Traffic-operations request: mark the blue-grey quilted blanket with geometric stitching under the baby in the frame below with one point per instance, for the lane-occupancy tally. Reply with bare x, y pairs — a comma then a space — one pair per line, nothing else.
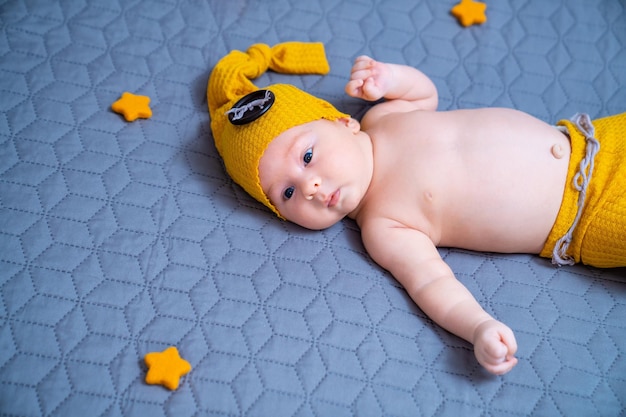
122, 238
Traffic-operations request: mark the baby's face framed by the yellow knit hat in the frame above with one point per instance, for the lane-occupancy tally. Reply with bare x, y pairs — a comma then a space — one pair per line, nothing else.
317, 173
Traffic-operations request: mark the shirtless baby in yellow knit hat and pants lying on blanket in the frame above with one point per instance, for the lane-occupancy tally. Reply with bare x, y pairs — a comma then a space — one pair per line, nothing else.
495, 180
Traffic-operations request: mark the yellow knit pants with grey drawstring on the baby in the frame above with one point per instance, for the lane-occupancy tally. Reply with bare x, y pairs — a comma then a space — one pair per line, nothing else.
599, 238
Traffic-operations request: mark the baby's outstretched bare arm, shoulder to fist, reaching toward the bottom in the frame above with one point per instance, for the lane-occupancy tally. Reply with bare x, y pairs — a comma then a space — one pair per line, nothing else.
415, 262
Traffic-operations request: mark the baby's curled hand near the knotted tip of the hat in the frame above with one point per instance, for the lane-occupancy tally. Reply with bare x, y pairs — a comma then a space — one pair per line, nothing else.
369, 79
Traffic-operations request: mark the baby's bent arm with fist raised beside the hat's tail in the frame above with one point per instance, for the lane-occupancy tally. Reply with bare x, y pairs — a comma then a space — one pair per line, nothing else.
372, 80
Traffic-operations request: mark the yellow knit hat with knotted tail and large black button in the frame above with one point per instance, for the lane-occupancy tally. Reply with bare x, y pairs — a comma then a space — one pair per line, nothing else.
244, 119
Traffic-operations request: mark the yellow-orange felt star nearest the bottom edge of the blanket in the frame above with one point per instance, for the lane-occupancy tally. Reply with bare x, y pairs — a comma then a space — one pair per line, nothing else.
166, 368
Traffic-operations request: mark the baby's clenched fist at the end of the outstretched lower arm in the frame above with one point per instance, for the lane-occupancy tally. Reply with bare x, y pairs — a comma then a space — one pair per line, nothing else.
495, 347
